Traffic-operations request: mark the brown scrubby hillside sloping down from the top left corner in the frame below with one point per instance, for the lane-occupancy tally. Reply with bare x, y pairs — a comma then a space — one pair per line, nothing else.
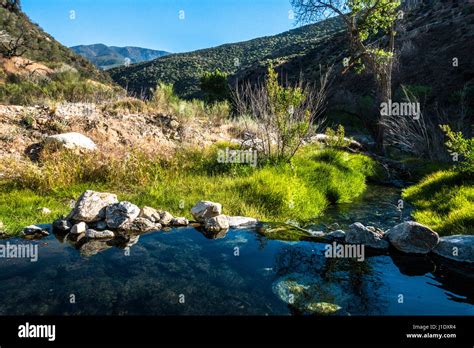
38, 46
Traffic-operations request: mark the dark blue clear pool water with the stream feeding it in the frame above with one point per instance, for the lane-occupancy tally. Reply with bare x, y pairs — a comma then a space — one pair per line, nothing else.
182, 272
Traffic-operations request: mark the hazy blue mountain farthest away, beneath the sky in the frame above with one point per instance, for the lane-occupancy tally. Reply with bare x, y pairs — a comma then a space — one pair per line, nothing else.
106, 57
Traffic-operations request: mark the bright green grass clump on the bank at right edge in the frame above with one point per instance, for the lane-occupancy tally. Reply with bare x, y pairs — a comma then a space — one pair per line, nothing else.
444, 201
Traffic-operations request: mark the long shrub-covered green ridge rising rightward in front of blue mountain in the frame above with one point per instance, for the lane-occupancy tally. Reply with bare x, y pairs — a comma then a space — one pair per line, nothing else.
185, 69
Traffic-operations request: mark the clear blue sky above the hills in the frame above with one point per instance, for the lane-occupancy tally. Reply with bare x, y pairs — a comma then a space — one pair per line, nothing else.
156, 23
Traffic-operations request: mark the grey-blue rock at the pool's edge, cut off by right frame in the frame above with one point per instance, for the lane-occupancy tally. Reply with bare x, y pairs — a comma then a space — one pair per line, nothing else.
459, 248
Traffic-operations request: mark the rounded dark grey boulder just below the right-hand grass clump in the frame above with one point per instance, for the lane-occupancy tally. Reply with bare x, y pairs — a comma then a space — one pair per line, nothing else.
412, 238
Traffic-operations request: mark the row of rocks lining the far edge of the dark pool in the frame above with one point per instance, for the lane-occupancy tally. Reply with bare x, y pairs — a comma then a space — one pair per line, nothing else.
101, 216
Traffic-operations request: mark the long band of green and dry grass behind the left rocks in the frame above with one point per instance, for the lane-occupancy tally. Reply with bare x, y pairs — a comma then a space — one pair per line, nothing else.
299, 191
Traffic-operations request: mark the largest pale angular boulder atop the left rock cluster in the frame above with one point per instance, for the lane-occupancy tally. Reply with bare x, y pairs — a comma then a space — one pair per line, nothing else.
91, 206
